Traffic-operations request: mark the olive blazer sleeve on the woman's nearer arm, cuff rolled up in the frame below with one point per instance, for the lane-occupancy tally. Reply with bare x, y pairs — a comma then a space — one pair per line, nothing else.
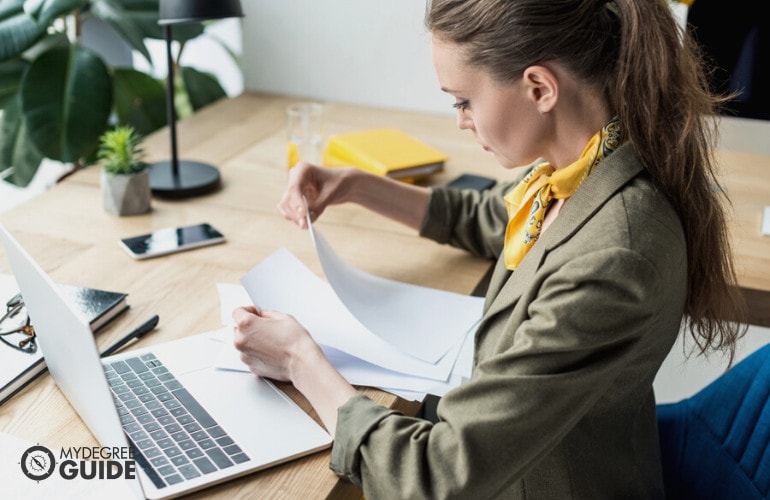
586, 325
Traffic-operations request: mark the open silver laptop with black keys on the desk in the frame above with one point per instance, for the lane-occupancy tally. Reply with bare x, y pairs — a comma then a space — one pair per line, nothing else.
190, 425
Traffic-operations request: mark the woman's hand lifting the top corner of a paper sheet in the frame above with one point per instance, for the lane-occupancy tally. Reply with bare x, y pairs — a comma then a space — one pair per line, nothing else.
319, 186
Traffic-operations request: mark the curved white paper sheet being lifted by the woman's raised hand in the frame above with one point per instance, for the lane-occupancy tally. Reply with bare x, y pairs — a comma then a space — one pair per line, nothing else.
424, 322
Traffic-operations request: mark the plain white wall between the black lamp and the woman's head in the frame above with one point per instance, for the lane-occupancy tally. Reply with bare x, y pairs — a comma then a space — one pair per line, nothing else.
371, 52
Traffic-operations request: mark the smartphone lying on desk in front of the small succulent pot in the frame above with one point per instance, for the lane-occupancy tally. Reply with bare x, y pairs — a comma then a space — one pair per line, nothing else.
171, 240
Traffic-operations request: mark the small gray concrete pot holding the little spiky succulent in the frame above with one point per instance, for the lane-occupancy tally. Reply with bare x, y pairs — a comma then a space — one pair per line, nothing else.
126, 194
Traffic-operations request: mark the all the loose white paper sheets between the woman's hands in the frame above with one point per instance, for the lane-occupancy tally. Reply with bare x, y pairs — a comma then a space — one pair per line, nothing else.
402, 338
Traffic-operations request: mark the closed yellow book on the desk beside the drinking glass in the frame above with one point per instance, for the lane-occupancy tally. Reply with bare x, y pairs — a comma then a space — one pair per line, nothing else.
385, 151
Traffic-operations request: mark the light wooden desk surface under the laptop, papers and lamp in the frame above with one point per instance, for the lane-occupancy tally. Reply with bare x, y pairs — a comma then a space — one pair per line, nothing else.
75, 240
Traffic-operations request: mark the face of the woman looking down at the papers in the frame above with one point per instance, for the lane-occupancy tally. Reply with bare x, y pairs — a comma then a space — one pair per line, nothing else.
503, 117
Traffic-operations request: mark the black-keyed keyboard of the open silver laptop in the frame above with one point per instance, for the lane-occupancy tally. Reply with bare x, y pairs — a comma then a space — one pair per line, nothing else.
173, 437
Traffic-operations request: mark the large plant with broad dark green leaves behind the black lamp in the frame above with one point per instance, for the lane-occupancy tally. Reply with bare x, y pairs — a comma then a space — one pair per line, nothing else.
57, 97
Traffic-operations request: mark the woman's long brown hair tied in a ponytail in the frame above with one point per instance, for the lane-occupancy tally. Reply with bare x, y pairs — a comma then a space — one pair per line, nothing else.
654, 80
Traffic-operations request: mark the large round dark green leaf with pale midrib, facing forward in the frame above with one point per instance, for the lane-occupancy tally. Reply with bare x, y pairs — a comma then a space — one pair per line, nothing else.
66, 98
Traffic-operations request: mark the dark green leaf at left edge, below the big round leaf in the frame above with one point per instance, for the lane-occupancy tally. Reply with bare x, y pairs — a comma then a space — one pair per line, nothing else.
16, 150
